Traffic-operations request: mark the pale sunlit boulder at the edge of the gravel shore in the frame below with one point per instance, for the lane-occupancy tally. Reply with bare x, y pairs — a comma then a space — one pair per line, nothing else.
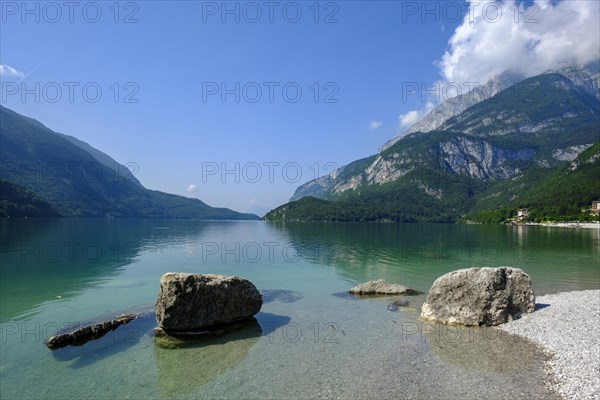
479, 297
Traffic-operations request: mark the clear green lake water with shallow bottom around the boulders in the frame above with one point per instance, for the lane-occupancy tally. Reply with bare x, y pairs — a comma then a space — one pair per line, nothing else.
307, 342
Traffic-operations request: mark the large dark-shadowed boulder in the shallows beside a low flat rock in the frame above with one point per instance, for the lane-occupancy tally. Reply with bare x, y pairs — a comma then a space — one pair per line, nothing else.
193, 302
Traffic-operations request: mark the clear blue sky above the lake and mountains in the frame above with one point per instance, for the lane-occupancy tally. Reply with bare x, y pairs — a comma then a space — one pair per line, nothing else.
161, 67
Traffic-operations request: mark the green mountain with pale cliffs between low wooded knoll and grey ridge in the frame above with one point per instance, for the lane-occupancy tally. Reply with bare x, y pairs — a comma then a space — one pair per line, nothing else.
483, 158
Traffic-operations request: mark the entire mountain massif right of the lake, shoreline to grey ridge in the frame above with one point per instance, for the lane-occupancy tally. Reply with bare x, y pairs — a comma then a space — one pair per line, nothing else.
495, 148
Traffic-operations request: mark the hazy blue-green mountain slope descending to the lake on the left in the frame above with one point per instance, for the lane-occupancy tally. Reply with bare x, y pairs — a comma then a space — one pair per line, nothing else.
77, 180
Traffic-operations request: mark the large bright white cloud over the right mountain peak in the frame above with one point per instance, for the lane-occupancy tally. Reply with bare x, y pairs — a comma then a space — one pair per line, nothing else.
495, 37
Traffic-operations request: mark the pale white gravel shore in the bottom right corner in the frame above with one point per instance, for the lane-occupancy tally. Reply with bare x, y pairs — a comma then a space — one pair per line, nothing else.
567, 325
